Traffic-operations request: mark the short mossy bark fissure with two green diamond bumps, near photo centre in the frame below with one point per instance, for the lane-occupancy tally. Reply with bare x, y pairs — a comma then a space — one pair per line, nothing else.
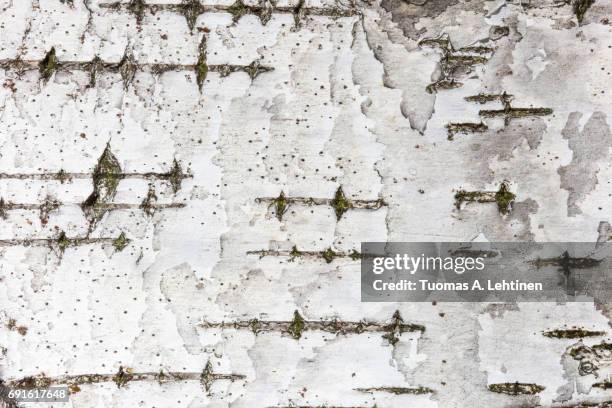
339, 203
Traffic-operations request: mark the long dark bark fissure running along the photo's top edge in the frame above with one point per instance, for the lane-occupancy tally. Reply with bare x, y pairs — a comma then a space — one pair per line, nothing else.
192, 9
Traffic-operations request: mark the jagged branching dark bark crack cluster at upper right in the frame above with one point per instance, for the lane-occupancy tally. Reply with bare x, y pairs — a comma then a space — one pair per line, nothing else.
454, 62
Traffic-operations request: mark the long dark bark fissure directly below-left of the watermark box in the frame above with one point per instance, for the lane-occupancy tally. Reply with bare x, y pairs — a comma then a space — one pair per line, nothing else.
298, 325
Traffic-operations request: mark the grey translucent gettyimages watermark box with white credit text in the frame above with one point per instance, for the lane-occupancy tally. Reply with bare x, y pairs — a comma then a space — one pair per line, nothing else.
485, 272
